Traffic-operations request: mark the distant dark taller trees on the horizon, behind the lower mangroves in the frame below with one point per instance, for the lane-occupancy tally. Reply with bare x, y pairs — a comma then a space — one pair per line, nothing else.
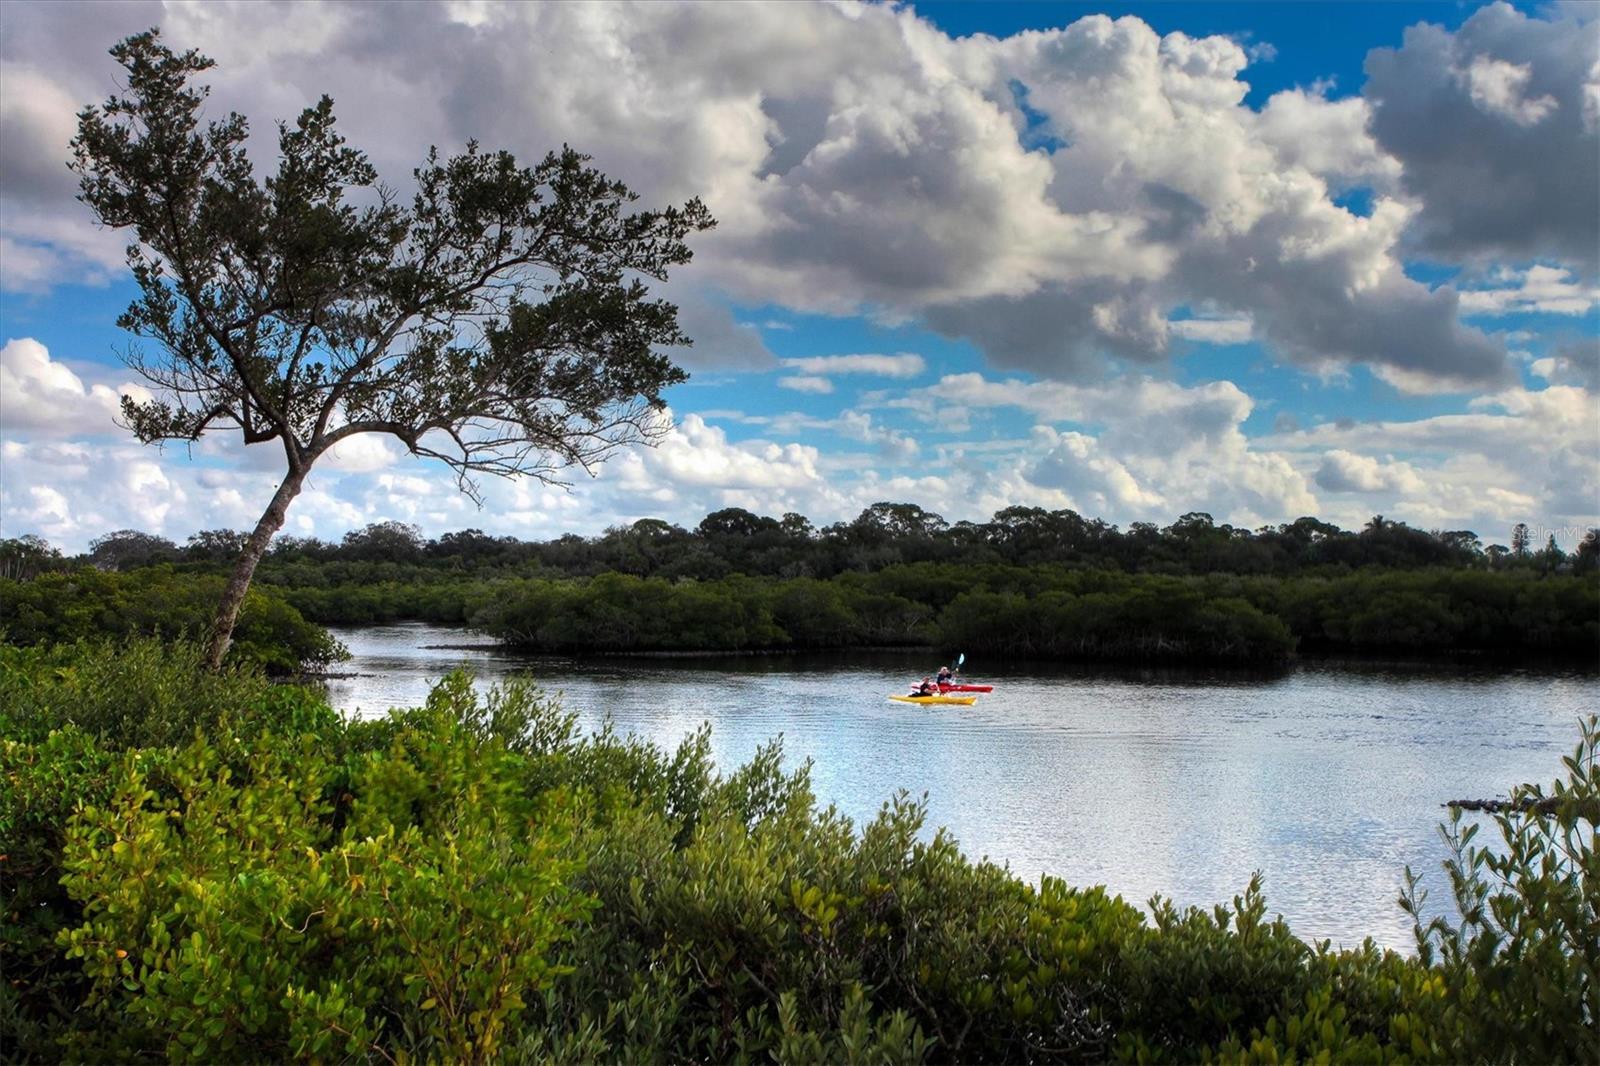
735, 540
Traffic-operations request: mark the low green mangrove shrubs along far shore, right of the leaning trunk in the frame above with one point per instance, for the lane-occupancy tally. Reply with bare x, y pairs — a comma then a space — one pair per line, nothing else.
1004, 611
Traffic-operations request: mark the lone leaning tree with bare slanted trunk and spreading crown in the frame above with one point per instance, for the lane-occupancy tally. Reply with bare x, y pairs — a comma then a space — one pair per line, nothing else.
500, 323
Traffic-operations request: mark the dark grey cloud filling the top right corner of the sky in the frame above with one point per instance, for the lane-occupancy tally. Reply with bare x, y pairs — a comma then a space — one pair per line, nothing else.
1495, 129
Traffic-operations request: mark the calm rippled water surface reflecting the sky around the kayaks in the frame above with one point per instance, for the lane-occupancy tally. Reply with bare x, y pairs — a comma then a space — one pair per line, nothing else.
1327, 779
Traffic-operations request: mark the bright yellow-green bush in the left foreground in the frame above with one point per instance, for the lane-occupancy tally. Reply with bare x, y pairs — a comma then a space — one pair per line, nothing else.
228, 915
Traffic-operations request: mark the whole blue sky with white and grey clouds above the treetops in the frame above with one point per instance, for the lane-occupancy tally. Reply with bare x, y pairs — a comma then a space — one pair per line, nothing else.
1135, 260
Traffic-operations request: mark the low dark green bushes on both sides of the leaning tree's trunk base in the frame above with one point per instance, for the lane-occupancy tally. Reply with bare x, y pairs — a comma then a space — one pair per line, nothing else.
159, 603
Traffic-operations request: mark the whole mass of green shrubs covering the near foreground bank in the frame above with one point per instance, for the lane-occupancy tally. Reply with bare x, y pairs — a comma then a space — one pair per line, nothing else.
474, 881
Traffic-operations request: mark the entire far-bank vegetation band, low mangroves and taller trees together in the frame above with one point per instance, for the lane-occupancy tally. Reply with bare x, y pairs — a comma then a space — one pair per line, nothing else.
1023, 587
